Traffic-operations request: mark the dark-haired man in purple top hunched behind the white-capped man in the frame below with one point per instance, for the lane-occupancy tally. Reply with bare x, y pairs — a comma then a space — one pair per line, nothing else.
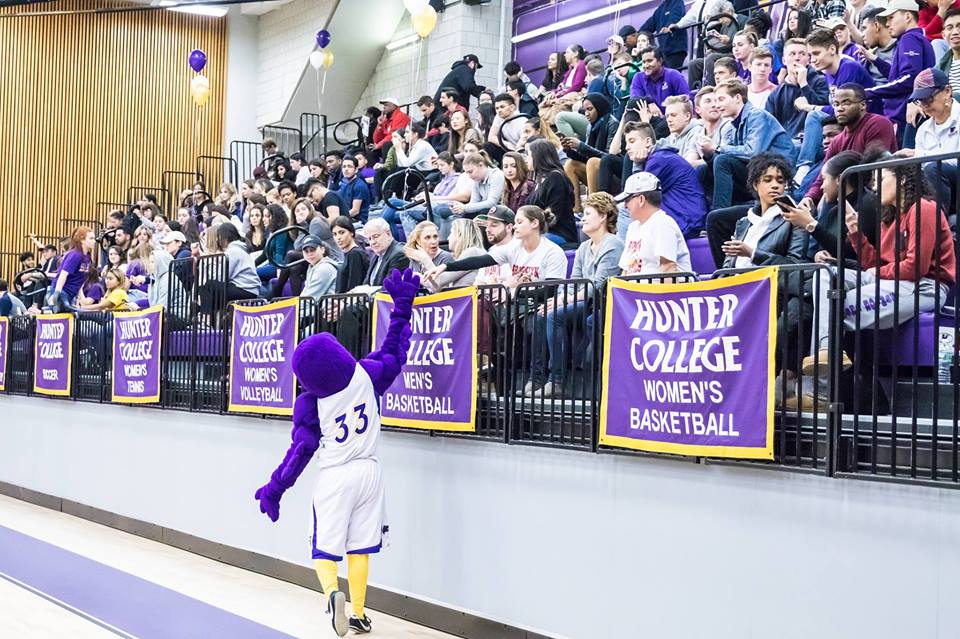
679, 191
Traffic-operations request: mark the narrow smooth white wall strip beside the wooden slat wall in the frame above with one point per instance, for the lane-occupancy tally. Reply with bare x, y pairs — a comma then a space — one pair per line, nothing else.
243, 64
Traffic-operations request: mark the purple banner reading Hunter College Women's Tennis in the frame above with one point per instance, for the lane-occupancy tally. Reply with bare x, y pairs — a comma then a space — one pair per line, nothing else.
136, 356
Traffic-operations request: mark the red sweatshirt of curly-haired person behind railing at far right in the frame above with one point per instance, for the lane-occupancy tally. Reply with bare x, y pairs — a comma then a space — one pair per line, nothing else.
916, 260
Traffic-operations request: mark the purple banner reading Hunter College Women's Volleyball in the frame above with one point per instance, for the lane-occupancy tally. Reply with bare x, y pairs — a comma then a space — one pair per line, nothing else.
262, 343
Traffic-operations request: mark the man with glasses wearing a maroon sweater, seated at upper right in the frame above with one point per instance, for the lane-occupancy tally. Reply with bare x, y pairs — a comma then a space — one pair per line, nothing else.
860, 131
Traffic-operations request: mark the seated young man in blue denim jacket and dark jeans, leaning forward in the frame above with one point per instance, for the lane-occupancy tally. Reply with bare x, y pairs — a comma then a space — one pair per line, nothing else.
752, 131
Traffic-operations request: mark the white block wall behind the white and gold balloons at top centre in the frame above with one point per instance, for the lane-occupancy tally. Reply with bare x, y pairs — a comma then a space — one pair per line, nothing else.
417, 69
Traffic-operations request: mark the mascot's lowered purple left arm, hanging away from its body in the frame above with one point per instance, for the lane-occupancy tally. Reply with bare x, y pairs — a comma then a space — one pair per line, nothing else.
306, 440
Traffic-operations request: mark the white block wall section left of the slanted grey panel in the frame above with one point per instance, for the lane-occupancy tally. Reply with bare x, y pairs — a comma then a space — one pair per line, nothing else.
286, 38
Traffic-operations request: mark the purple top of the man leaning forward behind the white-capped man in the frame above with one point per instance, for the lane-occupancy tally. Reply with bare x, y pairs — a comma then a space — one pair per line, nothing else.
683, 197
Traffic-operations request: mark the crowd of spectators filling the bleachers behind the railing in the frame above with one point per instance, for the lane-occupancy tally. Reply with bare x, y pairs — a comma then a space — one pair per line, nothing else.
623, 157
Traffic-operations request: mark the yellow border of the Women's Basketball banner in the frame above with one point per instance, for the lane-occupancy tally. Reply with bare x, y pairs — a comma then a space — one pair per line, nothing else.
739, 452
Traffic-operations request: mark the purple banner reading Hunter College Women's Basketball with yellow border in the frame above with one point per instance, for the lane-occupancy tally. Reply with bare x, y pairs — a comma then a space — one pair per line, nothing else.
688, 368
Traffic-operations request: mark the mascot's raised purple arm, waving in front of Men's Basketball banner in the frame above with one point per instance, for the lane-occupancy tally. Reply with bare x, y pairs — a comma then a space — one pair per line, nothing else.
383, 365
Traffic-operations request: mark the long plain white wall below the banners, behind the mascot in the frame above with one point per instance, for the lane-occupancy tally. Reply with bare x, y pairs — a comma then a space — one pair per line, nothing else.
581, 545
